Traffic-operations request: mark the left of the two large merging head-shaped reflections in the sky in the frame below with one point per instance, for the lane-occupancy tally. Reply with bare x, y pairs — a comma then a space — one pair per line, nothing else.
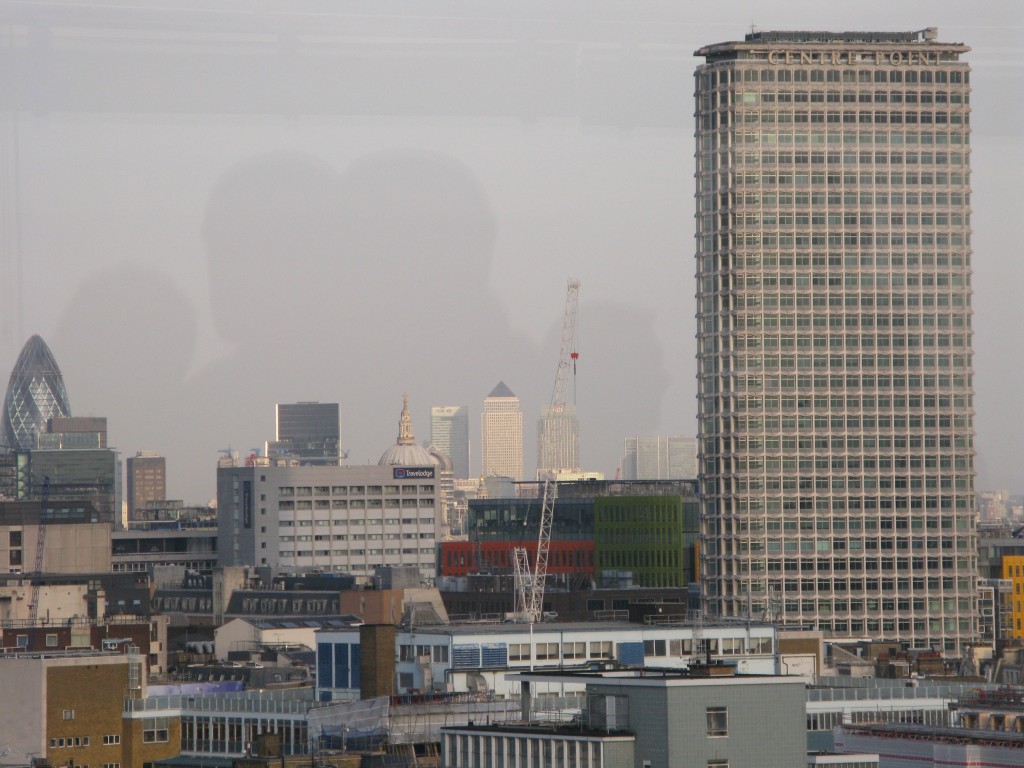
272, 234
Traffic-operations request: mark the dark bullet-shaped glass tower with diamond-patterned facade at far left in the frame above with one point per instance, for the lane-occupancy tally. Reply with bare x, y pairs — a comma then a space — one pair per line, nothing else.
35, 394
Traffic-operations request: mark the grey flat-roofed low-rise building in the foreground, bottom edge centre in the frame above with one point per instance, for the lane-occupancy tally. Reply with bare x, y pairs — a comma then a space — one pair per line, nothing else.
702, 717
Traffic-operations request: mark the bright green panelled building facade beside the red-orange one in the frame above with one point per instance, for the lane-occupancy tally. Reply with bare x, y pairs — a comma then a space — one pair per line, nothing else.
650, 541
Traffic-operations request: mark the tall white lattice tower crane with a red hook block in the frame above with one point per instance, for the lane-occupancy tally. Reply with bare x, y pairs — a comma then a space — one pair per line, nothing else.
530, 584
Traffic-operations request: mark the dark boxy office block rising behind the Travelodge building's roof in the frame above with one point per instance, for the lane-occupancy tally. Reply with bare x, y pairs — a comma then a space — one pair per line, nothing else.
309, 433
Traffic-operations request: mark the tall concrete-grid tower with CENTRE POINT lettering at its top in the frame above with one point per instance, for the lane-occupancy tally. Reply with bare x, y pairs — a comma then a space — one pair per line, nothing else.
834, 290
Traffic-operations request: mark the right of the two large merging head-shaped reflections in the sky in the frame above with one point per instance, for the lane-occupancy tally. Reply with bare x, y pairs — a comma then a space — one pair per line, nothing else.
418, 216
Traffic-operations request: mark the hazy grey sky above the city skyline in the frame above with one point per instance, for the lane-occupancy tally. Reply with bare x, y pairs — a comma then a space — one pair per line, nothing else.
209, 207
